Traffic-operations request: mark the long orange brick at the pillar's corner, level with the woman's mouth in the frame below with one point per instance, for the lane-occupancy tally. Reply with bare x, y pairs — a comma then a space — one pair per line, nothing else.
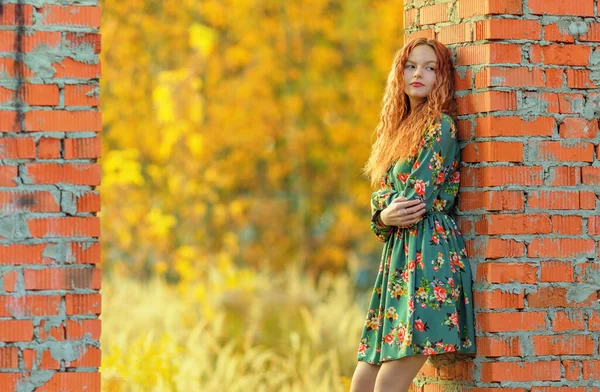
509, 77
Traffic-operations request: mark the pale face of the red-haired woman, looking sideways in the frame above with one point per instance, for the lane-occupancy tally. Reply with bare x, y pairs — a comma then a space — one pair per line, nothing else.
419, 73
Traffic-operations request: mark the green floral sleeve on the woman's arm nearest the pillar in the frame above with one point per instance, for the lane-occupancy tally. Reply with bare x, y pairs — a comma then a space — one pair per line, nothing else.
433, 163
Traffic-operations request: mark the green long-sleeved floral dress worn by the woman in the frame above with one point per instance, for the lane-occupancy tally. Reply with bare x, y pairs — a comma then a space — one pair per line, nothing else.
422, 300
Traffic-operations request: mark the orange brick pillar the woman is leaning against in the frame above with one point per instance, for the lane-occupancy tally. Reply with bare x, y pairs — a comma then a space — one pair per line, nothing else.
528, 120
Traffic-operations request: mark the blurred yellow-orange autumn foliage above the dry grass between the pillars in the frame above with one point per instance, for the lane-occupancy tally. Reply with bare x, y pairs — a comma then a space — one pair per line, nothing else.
234, 131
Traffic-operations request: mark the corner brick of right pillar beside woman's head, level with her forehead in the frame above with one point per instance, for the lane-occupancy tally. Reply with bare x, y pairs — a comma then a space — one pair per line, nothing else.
492, 53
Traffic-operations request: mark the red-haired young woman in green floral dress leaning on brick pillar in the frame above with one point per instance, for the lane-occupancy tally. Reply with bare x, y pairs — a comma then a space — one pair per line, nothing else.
421, 303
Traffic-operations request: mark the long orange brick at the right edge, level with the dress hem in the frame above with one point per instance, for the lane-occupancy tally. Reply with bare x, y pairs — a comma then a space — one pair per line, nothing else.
563, 345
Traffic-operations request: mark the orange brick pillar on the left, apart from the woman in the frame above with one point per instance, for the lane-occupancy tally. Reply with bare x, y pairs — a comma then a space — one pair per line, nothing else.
49, 252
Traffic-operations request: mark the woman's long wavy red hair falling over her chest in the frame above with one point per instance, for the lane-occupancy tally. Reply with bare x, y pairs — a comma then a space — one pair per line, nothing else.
401, 128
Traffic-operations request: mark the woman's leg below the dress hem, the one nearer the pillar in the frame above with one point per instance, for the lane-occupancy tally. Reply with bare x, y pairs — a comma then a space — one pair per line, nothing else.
397, 375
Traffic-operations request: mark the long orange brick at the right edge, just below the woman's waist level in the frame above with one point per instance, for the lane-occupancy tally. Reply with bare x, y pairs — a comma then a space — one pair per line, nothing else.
561, 247
